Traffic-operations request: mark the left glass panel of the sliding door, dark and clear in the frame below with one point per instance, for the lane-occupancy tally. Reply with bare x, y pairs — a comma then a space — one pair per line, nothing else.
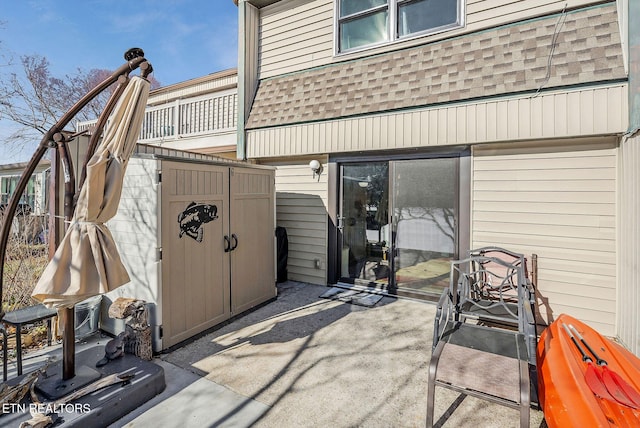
364, 223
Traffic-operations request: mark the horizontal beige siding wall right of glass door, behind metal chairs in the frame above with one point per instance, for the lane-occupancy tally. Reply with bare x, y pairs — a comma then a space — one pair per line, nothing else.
559, 203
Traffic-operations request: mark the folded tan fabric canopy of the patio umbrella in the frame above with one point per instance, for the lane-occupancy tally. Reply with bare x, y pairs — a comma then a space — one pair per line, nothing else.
87, 263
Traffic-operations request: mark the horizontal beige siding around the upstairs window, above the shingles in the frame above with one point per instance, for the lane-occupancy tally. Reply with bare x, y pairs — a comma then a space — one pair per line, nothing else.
298, 34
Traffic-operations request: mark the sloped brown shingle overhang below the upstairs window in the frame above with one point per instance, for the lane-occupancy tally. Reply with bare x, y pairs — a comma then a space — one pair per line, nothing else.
531, 57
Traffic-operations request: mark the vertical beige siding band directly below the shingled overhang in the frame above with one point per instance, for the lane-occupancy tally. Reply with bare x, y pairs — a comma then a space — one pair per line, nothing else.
564, 114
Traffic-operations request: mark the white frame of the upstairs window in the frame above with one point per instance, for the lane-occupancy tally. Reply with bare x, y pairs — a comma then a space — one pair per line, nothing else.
392, 27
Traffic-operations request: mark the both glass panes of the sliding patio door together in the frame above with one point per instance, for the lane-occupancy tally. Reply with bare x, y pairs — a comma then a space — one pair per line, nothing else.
398, 224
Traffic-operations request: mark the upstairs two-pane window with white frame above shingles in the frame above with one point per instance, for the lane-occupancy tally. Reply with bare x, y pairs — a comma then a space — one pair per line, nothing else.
367, 23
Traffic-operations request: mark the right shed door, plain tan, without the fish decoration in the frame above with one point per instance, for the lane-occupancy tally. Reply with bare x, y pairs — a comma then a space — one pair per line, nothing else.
252, 237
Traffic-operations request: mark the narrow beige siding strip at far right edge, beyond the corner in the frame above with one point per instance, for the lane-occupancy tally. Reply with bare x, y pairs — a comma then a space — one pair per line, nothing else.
629, 249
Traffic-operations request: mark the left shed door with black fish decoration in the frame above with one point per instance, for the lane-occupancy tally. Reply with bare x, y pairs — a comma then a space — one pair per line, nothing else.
195, 267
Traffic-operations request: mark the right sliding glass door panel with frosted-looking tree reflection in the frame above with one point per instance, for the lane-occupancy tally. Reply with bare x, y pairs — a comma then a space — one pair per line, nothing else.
425, 194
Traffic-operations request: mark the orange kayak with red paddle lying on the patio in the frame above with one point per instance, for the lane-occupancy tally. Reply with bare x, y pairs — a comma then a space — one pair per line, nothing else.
578, 393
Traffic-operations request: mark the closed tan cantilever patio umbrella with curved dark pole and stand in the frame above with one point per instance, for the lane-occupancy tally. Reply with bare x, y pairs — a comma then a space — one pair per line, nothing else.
86, 263
